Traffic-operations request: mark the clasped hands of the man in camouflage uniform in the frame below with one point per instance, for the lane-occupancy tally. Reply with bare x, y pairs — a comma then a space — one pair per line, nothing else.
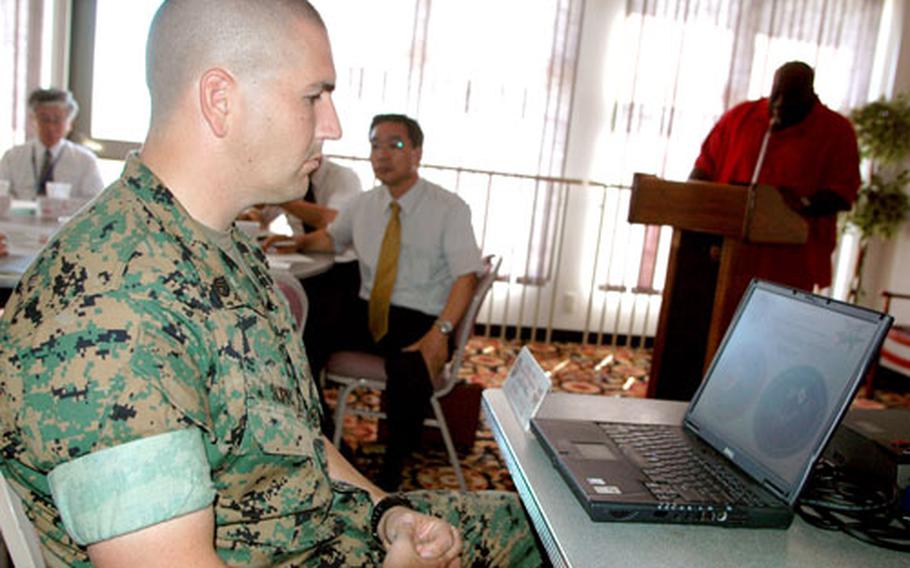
413, 539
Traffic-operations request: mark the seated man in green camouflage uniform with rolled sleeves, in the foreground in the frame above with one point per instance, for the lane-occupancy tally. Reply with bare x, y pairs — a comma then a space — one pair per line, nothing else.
155, 408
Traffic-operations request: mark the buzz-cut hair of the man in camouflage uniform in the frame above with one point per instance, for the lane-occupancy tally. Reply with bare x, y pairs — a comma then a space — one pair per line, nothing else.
187, 37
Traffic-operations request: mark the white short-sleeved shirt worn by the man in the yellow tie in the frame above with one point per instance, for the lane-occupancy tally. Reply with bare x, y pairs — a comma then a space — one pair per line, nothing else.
437, 242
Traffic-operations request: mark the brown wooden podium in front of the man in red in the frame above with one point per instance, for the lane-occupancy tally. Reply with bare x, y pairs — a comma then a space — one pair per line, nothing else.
719, 234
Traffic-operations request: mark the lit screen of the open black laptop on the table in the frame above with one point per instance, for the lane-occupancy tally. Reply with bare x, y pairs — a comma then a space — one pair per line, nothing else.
783, 376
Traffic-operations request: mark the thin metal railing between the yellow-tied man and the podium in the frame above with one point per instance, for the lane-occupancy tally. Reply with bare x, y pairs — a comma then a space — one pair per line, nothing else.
571, 261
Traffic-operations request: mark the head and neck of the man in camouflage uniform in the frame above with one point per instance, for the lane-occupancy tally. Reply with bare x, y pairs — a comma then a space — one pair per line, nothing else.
241, 102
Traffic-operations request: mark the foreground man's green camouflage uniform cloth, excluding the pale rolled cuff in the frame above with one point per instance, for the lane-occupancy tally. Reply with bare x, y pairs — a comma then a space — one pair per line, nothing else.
131, 323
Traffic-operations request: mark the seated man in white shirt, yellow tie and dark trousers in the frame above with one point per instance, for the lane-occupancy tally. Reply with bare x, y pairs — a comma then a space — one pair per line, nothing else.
435, 275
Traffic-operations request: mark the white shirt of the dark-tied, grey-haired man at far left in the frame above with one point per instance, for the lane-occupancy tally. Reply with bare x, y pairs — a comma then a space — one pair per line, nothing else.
73, 163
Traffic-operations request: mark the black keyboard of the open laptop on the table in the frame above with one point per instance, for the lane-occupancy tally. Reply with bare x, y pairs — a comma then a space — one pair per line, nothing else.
675, 471
